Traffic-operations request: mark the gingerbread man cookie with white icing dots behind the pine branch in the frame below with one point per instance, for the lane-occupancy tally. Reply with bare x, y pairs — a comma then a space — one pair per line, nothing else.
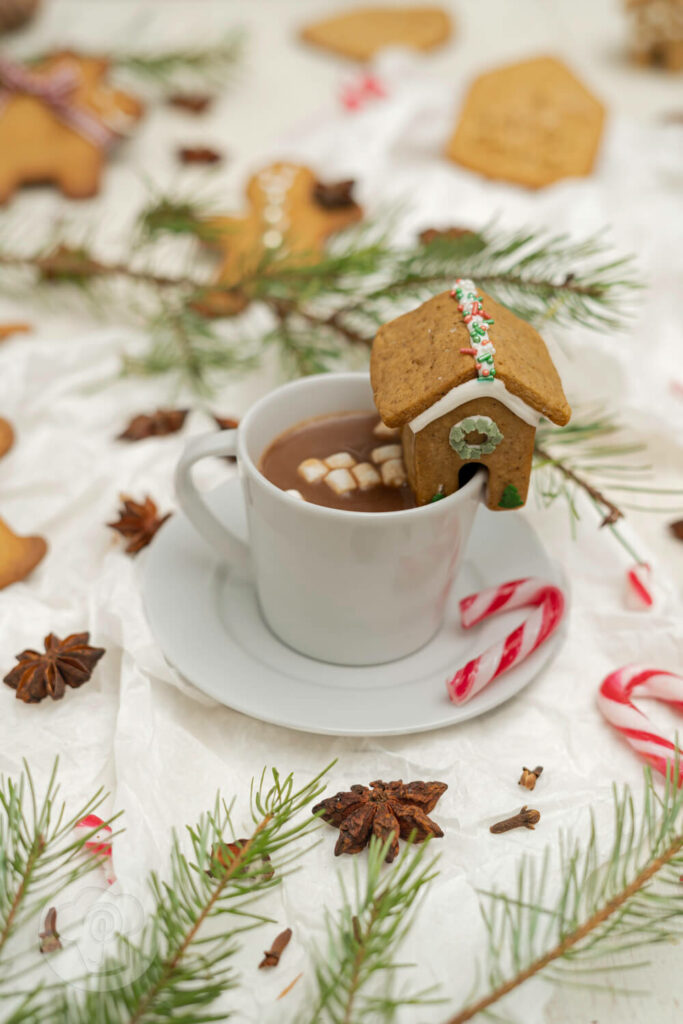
290, 217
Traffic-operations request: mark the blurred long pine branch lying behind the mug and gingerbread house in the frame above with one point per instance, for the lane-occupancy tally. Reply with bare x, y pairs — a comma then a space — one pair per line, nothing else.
323, 309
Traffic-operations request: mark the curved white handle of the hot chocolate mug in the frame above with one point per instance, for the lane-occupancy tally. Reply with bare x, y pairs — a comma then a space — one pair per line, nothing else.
235, 551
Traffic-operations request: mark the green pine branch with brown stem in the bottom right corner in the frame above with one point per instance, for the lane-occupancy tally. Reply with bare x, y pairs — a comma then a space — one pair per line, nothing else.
601, 911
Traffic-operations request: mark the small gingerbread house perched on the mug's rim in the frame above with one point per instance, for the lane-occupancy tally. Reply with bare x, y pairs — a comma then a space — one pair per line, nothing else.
467, 382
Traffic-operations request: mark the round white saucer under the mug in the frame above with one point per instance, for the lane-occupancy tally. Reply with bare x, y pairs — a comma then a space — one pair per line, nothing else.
210, 629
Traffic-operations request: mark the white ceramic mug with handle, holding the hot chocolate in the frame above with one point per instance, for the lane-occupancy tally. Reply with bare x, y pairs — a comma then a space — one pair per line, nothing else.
352, 588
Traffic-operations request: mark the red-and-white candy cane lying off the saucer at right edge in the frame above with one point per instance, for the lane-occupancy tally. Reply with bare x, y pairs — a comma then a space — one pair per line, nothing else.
617, 707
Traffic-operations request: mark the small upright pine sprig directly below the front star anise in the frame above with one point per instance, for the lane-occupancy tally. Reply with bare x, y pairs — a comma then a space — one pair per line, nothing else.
364, 940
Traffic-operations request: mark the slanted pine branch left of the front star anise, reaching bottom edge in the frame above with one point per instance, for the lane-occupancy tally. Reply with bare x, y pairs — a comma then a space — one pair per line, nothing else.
182, 966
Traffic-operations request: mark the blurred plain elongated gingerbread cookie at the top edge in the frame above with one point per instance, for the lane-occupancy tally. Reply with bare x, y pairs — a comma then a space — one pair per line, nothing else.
361, 33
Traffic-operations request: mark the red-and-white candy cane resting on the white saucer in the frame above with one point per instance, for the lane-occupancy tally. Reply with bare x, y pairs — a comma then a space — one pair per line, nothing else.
548, 603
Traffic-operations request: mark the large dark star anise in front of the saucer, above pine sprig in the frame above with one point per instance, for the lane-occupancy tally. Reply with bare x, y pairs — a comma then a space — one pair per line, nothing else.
383, 810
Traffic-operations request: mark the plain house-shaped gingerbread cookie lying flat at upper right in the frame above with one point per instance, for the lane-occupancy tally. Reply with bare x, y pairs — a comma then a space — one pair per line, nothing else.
532, 123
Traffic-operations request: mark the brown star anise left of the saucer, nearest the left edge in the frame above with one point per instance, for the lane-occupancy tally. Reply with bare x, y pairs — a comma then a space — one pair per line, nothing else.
66, 663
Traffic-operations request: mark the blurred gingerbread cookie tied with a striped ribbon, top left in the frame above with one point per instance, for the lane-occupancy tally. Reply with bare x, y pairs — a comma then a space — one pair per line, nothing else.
58, 120
